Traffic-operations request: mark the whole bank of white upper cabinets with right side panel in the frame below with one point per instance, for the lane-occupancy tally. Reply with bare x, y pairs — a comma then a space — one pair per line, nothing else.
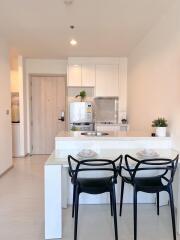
108, 76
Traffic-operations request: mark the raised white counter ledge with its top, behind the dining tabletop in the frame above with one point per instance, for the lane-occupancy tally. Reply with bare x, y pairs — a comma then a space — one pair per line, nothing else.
69, 141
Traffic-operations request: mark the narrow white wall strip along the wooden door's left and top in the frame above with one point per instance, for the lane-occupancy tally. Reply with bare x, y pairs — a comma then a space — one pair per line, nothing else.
39, 66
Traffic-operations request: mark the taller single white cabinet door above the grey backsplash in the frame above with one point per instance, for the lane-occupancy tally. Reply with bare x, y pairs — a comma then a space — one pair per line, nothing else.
107, 80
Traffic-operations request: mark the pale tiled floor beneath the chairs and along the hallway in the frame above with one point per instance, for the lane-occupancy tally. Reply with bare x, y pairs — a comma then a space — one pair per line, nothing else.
22, 211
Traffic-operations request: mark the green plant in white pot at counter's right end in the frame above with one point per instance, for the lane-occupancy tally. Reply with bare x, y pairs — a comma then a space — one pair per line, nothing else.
160, 124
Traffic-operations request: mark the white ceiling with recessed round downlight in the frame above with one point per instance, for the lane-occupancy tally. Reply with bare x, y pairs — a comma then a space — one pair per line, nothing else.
40, 28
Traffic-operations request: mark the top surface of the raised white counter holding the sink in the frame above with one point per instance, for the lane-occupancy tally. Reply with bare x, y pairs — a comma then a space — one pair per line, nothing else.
119, 135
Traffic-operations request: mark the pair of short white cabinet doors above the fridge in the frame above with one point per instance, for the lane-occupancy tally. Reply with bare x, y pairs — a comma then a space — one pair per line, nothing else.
81, 75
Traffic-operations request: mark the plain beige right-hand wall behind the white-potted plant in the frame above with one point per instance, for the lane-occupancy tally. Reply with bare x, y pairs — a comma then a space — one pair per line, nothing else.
154, 76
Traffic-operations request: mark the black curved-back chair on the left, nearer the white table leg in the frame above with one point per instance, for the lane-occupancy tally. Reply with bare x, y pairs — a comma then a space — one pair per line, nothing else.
93, 185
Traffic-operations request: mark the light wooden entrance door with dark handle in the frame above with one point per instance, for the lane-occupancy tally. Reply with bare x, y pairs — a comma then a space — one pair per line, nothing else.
48, 101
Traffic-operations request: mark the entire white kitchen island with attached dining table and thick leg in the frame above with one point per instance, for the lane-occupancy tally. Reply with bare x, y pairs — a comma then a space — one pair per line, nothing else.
58, 189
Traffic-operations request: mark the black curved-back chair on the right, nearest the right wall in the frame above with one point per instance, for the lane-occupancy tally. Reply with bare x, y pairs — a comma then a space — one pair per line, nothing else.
162, 175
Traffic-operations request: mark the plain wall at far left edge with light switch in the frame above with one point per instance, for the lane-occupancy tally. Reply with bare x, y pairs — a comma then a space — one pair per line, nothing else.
5, 105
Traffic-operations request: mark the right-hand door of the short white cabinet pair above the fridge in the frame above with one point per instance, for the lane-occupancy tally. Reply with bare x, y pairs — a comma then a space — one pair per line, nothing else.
88, 75
